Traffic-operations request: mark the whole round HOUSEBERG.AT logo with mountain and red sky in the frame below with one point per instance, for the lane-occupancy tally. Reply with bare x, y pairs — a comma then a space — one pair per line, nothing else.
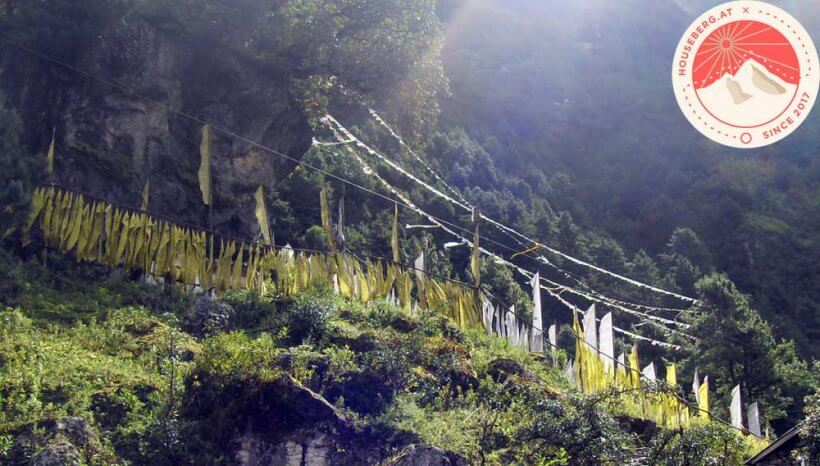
746, 74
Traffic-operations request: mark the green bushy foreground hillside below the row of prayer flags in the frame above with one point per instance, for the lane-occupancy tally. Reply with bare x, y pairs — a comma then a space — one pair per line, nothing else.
106, 370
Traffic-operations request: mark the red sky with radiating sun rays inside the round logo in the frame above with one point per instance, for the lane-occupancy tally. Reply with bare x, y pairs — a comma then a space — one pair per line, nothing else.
729, 47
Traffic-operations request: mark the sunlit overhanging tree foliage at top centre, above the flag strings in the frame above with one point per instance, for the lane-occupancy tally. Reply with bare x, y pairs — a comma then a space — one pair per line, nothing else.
384, 51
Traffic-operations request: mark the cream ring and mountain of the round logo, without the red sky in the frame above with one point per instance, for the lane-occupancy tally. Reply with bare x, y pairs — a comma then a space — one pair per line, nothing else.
751, 107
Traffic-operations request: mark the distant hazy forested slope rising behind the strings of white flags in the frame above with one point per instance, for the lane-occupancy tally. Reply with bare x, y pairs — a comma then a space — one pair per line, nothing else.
575, 98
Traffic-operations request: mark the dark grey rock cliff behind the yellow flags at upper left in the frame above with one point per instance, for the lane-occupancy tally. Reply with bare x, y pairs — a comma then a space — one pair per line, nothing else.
110, 141
